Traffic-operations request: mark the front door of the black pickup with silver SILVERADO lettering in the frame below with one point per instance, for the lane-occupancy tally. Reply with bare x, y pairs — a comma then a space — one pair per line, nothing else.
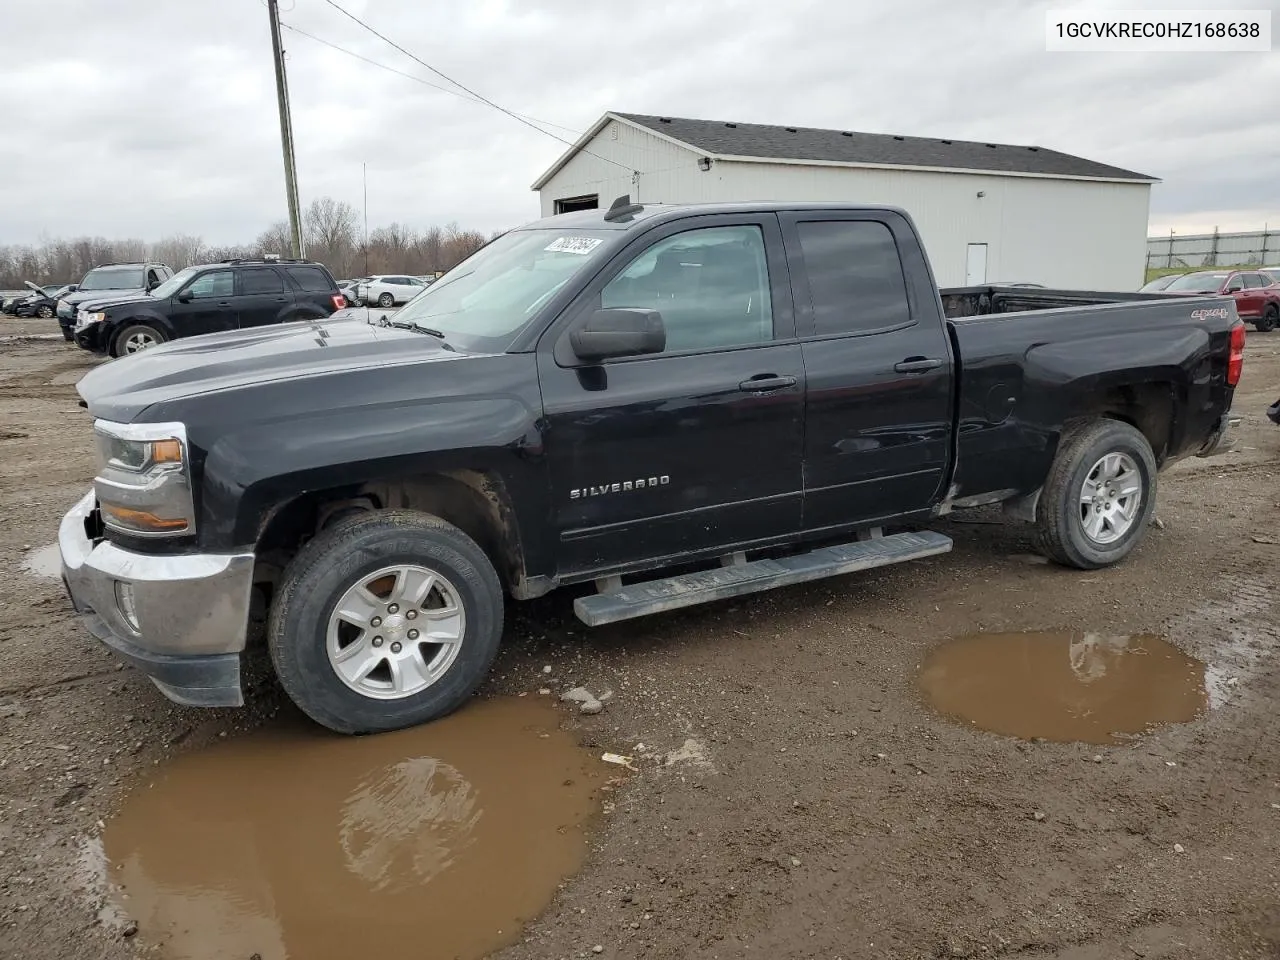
696, 450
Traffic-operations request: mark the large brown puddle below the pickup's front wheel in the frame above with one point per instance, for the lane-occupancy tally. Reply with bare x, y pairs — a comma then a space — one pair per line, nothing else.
294, 844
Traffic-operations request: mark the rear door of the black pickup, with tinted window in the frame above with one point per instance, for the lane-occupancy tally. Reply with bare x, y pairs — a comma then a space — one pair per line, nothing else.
879, 368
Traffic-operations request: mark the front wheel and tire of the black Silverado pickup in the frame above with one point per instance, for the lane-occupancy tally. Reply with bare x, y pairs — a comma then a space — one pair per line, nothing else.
385, 621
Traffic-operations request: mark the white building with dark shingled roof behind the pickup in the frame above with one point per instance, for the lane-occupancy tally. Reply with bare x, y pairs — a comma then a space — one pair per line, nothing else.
988, 212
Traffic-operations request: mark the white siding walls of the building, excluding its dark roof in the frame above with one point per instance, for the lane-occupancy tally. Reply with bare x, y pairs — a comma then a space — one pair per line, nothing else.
1062, 234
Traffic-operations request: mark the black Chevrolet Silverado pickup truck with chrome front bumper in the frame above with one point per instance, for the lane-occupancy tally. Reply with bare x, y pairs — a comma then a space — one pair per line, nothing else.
751, 395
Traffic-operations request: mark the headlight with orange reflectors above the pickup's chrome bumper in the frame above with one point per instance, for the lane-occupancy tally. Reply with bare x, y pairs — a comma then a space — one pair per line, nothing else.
144, 481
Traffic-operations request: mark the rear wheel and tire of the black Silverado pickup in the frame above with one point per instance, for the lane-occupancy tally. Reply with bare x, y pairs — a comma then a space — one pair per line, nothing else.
1099, 497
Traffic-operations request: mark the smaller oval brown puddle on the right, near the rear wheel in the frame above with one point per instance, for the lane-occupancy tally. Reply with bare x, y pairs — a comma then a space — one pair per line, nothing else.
1089, 688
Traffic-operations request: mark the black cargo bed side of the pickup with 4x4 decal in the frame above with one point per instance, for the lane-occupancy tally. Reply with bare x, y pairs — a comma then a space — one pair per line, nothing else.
1028, 356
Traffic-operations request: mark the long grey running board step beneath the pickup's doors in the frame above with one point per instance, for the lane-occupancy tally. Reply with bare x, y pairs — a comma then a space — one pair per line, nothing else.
691, 589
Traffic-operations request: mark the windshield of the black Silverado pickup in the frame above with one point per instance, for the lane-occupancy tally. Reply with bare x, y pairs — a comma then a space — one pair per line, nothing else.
499, 289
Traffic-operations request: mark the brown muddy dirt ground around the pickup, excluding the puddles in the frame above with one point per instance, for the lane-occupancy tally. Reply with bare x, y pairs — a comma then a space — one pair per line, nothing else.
821, 810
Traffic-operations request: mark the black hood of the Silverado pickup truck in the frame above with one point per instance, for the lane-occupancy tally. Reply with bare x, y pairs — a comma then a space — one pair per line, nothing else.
124, 388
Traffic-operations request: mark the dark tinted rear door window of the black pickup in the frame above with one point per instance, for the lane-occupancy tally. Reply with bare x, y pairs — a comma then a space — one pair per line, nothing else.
856, 277
